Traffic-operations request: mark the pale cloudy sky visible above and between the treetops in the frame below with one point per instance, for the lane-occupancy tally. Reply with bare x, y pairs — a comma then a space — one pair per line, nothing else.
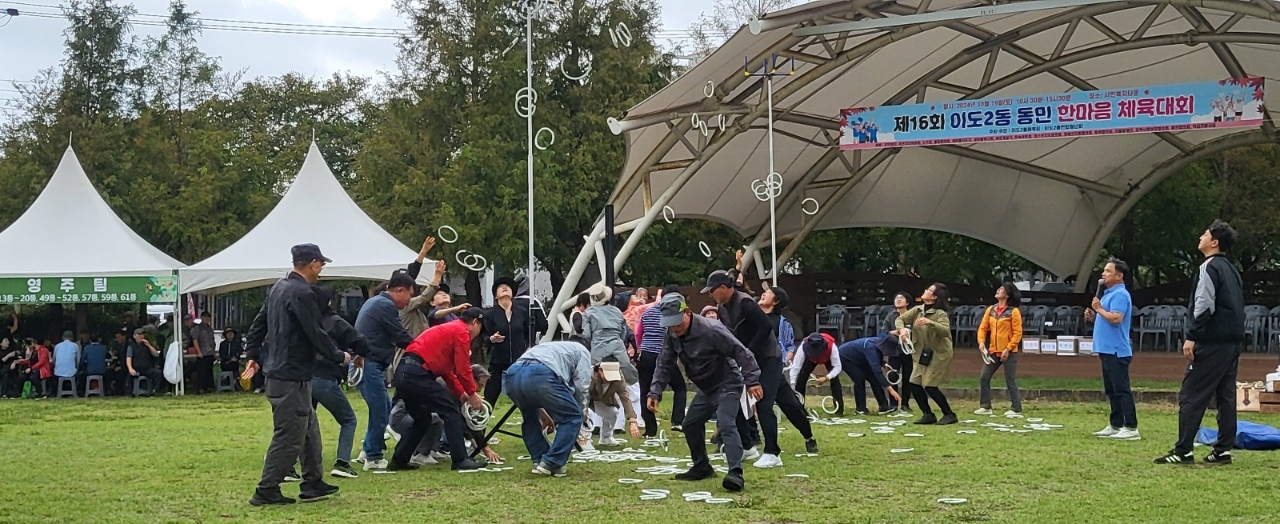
35, 42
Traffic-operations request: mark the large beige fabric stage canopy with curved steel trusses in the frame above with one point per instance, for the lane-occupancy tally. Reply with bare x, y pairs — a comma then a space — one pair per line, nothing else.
1053, 202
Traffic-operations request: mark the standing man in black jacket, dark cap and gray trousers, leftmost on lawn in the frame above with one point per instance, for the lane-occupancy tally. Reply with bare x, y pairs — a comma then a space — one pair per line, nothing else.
290, 323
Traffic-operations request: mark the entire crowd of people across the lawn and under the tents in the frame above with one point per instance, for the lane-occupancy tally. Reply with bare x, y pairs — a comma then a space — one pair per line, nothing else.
410, 354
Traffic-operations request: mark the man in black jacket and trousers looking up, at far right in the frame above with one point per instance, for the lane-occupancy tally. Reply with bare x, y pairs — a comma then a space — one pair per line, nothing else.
1214, 345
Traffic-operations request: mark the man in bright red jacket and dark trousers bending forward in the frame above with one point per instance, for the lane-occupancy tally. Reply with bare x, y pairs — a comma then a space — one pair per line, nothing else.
442, 352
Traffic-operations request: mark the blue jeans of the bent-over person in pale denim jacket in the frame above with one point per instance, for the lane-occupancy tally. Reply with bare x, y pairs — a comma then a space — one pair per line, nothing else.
533, 386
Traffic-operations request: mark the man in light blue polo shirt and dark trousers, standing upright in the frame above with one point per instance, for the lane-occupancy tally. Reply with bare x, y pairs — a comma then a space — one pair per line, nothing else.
1112, 316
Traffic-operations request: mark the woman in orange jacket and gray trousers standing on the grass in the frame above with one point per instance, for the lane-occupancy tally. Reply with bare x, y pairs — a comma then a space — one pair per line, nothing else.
999, 339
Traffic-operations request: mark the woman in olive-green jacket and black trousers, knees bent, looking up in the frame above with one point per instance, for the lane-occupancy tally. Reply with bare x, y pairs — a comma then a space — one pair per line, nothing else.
930, 330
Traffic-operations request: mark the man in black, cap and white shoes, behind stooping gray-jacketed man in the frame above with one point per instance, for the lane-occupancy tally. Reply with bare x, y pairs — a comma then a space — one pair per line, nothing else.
753, 329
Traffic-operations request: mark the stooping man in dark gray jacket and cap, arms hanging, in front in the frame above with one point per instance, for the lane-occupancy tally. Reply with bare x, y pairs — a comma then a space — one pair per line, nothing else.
720, 367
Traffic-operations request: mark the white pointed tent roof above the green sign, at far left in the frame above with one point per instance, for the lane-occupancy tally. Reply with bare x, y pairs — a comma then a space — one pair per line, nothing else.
70, 215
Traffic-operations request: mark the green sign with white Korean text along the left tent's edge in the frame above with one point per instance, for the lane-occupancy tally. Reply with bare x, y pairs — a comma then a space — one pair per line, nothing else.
90, 290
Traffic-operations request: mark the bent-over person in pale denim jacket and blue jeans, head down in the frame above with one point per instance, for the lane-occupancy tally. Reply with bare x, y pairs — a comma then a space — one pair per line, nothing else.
552, 379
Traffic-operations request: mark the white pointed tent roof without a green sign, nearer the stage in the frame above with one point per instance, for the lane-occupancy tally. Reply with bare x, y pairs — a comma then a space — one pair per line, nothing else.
314, 211
